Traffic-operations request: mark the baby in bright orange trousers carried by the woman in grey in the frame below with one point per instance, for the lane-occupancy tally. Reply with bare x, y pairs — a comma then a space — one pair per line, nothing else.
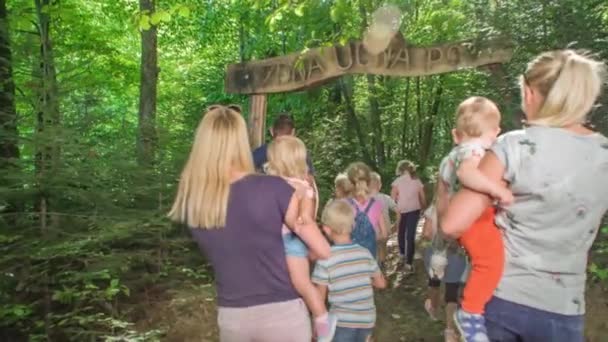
477, 127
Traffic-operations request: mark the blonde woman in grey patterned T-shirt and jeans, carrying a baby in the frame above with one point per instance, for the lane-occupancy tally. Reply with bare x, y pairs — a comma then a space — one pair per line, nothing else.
558, 172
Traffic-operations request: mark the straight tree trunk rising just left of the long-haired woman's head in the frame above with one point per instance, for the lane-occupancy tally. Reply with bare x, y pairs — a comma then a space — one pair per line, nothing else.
146, 140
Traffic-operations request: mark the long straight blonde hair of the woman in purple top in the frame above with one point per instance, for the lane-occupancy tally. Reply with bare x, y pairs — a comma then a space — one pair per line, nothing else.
220, 147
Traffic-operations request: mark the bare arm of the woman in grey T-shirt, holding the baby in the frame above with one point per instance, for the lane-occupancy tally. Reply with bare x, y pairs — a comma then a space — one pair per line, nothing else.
467, 205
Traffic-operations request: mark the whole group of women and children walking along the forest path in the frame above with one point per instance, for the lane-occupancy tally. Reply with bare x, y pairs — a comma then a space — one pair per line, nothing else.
523, 208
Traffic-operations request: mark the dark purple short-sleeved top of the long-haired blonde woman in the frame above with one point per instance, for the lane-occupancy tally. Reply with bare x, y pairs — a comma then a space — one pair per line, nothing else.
247, 254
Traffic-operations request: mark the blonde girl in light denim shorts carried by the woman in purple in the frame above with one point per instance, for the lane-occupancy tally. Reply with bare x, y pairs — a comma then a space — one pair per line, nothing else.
287, 159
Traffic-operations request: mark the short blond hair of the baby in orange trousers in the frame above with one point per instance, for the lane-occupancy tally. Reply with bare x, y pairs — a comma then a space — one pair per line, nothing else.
475, 116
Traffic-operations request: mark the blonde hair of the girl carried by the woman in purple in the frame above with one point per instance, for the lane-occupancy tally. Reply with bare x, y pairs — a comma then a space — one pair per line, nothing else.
287, 157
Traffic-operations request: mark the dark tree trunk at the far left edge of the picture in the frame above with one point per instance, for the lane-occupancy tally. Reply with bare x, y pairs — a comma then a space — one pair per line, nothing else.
9, 150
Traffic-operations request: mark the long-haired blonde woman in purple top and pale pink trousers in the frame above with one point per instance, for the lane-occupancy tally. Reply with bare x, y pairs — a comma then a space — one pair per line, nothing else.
219, 199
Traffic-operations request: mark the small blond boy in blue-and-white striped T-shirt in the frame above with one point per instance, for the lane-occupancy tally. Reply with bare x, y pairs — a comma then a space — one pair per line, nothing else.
347, 276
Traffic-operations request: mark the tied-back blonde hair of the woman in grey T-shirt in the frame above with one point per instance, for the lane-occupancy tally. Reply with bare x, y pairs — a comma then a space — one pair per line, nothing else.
570, 83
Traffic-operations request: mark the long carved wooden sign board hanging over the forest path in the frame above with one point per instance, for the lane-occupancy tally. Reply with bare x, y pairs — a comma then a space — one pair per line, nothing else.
307, 69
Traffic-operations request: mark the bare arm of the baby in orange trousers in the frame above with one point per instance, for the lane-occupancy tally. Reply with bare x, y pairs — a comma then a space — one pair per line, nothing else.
471, 177
